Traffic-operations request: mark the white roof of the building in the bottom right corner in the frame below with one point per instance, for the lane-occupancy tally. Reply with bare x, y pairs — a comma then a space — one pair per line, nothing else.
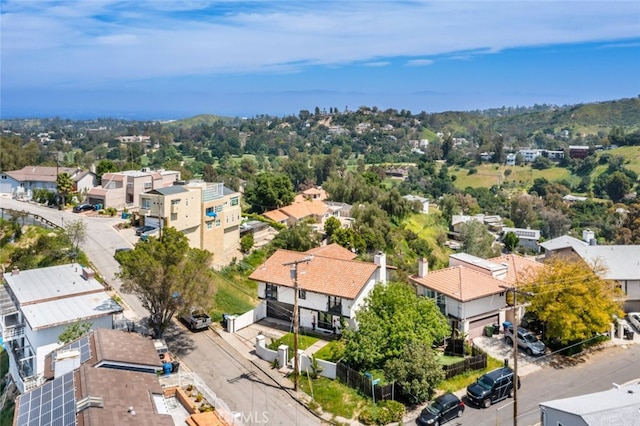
618, 406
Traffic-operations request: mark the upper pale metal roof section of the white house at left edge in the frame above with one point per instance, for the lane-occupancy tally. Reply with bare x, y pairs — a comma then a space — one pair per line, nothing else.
54, 282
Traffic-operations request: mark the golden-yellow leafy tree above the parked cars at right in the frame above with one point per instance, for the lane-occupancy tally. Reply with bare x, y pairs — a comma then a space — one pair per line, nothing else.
572, 300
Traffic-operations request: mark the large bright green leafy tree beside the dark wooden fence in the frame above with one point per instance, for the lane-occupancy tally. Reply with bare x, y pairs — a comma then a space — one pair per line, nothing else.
392, 317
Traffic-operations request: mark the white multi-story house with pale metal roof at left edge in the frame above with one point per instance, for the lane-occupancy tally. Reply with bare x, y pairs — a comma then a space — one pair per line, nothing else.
38, 305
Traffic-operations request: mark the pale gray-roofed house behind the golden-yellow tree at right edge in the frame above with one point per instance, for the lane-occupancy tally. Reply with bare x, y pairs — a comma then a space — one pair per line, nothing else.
620, 263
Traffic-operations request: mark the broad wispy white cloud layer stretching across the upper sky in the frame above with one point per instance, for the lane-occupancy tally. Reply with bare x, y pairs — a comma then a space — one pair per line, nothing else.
100, 40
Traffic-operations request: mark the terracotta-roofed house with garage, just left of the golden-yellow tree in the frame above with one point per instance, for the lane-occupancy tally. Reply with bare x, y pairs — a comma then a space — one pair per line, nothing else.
470, 292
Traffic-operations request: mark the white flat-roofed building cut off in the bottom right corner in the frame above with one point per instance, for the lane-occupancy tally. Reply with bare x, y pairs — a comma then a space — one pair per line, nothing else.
618, 406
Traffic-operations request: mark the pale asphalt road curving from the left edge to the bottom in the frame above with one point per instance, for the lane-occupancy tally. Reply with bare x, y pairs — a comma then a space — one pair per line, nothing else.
249, 392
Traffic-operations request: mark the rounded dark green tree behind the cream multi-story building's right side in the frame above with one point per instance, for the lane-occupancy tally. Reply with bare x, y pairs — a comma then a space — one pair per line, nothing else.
269, 191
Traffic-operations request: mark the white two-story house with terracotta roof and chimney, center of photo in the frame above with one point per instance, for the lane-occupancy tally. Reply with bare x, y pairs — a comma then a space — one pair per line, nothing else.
331, 285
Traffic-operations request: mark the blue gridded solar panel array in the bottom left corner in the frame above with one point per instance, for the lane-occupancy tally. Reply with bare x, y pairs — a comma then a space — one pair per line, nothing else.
53, 403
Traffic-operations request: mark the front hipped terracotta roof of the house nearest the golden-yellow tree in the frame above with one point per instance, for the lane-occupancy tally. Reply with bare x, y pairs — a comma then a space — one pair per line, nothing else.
460, 283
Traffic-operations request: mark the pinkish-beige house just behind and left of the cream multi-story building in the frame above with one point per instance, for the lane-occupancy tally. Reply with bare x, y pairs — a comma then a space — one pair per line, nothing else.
122, 189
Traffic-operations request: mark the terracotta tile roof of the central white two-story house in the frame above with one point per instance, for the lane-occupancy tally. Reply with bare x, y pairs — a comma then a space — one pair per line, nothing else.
324, 275
